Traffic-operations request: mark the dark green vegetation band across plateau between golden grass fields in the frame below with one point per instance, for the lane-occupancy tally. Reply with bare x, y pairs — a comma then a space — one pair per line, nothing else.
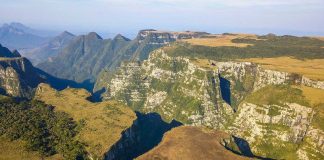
263, 47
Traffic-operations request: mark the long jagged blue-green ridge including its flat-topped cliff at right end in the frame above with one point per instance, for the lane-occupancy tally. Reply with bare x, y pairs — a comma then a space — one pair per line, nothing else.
85, 56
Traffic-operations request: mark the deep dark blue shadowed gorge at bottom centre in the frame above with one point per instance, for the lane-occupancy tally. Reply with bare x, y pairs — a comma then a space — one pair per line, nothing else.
147, 132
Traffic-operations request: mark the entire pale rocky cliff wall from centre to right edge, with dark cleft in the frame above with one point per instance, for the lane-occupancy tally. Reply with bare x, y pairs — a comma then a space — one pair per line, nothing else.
241, 98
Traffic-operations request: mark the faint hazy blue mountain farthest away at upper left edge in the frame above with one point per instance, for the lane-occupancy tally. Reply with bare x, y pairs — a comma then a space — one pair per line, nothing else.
18, 36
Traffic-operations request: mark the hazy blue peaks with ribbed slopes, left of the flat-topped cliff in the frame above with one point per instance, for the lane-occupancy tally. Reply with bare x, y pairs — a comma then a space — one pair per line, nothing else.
84, 57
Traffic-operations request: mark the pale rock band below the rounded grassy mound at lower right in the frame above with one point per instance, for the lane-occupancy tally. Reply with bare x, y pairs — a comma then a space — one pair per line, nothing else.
256, 119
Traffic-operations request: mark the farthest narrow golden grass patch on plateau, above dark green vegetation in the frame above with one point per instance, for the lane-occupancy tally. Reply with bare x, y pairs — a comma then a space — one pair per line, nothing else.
221, 40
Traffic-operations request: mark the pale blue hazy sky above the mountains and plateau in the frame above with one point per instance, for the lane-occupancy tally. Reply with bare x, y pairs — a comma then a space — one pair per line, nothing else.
295, 17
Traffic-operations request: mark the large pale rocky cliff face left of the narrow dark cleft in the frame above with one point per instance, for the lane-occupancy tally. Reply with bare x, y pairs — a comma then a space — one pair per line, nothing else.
144, 88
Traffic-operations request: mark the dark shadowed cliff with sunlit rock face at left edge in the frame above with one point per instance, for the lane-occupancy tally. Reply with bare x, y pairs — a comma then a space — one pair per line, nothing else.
18, 77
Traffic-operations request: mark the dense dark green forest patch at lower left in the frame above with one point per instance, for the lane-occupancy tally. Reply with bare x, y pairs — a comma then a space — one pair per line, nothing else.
43, 130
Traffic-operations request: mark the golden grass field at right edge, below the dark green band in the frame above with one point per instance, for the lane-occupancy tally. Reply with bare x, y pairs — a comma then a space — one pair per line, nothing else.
311, 68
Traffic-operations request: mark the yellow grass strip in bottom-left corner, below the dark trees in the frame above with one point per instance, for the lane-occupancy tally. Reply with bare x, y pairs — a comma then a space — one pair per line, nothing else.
13, 150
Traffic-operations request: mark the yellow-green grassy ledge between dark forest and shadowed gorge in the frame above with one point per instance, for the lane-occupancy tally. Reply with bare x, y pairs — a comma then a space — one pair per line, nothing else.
103, 122
